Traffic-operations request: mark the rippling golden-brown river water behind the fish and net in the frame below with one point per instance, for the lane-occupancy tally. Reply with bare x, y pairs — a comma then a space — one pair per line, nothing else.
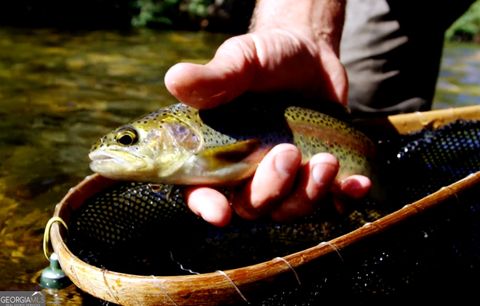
60, 91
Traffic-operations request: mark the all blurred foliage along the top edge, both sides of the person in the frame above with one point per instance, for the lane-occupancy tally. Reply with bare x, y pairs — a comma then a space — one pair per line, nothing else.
231, 16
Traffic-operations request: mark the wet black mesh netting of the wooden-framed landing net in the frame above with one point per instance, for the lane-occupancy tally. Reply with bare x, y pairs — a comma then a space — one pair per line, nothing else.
146, 229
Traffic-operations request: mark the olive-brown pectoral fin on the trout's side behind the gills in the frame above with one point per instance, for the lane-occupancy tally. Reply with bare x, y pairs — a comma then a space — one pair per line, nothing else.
231, 153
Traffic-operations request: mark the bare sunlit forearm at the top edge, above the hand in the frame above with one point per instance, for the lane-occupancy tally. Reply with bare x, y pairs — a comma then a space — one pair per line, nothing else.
323, 19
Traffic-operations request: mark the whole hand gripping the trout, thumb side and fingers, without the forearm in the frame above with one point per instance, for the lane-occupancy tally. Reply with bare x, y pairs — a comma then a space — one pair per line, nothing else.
269, 60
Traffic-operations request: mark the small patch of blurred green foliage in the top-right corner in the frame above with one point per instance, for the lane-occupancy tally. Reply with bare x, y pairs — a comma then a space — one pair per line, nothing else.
467, 27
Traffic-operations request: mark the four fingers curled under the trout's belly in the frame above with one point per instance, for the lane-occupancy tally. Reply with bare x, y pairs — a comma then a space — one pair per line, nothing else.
281, 188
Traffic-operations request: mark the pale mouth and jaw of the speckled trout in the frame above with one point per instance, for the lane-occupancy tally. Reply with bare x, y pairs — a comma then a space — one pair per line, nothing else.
115, 161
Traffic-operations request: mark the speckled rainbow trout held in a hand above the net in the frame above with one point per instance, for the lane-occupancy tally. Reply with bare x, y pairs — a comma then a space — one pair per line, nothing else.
179, 144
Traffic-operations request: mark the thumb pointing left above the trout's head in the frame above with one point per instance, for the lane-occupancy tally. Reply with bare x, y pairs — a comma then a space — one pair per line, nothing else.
225, 77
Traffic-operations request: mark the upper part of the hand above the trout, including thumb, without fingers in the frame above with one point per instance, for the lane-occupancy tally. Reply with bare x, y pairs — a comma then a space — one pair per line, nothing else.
263, 61
